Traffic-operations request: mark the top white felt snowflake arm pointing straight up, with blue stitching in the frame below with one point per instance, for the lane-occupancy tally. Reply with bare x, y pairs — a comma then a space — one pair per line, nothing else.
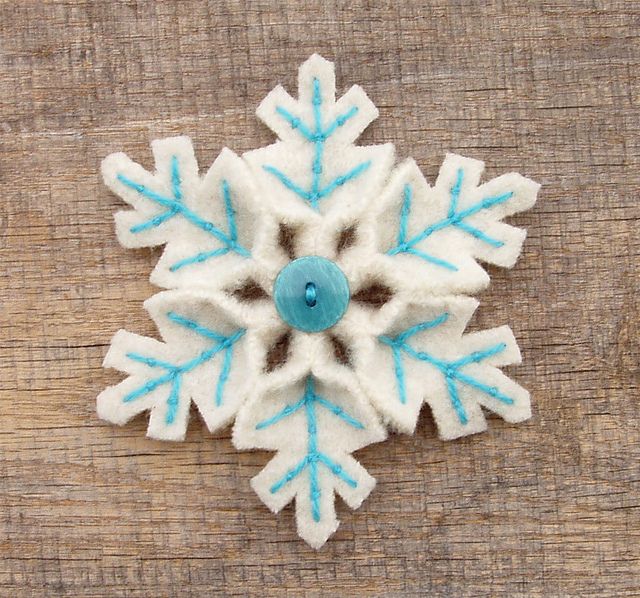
319, 132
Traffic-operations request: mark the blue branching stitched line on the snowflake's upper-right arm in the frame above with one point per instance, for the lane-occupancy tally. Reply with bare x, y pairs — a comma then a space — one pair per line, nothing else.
454, 218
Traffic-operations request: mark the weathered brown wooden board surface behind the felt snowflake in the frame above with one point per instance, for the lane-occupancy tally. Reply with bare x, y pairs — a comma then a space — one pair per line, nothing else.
547, 508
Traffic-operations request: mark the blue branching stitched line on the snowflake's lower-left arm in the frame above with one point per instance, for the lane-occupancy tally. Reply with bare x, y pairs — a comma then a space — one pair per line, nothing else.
174, 372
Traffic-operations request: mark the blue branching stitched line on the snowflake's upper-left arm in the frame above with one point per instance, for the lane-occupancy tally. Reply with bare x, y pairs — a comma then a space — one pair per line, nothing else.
175, 206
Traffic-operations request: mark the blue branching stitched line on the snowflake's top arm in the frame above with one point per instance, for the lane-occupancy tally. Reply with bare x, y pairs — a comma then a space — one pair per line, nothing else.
318, 136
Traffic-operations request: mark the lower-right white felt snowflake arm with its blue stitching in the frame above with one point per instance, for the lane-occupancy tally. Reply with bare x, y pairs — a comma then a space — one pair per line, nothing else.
427, 358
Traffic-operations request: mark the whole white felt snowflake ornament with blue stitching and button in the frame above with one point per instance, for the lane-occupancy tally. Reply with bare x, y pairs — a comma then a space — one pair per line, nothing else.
316, 294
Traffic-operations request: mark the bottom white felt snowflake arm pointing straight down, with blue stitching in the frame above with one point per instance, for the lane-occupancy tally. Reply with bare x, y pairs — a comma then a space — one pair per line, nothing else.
314, 436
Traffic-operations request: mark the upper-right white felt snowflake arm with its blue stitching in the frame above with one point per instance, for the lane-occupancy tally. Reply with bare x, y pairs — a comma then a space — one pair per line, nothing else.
442, 230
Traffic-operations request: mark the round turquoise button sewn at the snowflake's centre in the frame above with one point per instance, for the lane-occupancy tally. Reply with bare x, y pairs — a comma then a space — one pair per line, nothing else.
311, 293
